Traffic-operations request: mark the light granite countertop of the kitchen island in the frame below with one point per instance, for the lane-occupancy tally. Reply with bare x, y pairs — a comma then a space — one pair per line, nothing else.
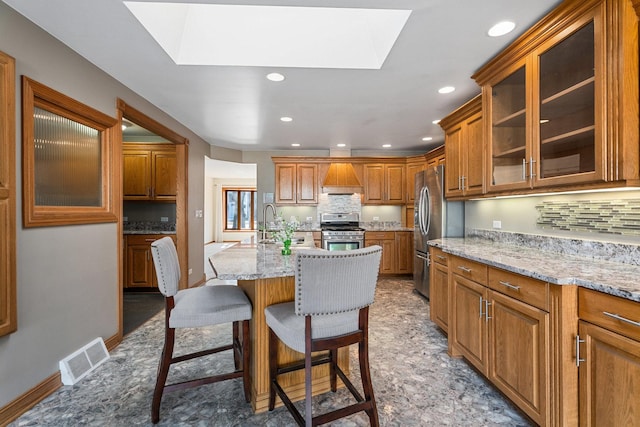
250, 261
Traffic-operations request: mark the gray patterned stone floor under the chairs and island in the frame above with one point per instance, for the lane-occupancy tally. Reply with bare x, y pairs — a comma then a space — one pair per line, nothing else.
416, 382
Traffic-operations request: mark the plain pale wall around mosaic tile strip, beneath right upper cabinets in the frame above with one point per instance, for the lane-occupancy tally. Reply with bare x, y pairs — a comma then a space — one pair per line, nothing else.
519, 214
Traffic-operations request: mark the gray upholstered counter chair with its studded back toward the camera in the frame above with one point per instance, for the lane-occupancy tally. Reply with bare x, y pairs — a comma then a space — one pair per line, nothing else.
333, 291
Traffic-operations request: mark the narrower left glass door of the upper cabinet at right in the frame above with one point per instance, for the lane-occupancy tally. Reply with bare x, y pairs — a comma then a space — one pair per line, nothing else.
508, 130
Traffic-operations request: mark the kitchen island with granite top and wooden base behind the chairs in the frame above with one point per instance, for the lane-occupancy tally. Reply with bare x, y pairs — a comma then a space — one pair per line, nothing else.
267, 277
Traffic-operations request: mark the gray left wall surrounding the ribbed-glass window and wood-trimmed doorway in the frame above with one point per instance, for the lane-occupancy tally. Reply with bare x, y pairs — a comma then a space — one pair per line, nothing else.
67, 277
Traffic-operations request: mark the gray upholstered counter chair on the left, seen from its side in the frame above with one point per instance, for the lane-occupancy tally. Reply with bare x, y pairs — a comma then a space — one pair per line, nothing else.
192, 308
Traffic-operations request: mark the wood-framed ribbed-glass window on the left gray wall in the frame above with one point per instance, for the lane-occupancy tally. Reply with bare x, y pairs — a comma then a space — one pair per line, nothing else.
67, 157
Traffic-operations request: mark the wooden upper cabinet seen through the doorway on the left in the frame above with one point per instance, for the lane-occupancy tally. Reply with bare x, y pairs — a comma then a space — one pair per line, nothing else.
149, 172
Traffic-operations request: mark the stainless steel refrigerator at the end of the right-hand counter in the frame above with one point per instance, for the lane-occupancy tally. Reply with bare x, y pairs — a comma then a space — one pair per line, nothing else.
434, 218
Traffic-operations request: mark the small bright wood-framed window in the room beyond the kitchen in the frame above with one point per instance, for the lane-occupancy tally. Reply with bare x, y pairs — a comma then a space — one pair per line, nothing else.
240, 206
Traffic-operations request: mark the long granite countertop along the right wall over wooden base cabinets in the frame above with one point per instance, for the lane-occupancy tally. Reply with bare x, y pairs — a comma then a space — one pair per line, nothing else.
613, 278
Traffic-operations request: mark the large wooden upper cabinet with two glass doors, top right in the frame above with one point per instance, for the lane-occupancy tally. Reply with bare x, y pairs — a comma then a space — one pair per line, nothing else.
560, 102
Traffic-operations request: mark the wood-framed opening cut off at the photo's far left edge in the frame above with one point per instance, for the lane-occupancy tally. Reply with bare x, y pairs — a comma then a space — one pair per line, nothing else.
8, 318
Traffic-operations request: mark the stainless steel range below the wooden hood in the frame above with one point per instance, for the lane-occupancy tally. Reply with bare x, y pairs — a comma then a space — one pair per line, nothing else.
341, 231
